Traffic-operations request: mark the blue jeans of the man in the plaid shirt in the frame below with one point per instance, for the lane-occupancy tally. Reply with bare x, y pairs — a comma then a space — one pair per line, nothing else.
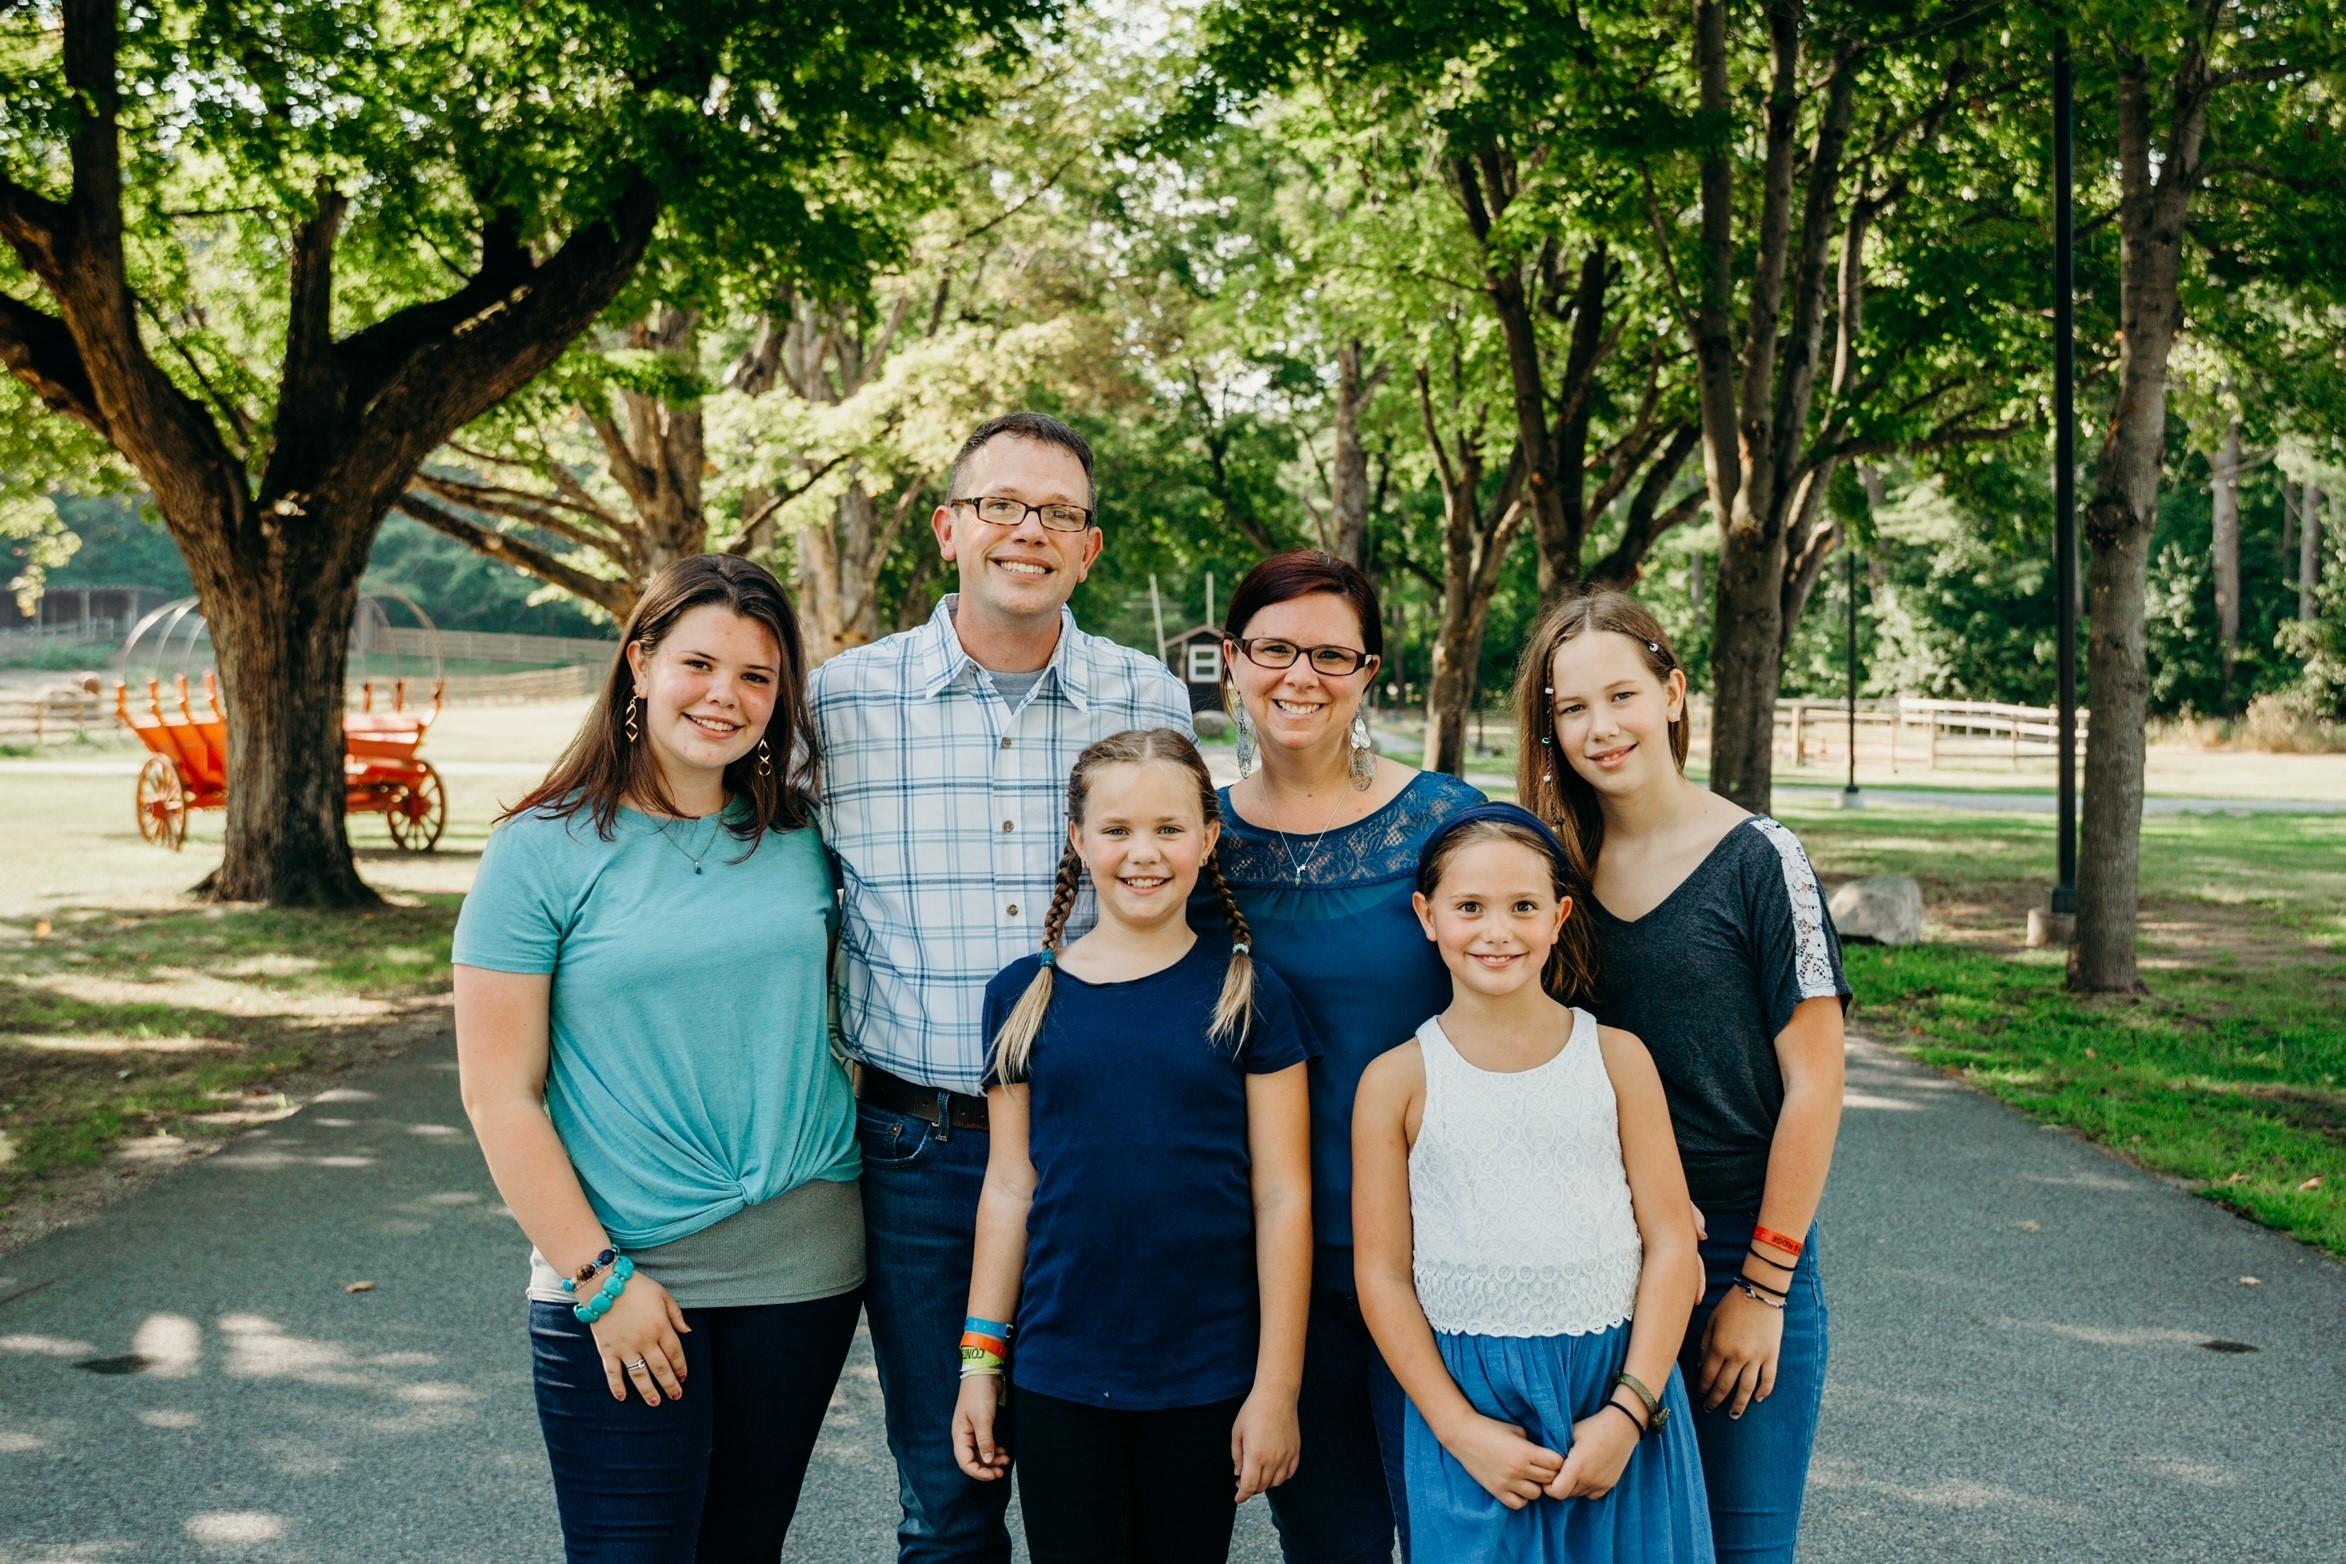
921, 1223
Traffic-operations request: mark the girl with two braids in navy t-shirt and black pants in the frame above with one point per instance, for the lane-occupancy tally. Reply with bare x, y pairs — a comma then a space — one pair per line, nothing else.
1146, 1228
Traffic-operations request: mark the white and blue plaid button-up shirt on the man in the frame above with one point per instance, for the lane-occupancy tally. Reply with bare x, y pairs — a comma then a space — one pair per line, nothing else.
949, 815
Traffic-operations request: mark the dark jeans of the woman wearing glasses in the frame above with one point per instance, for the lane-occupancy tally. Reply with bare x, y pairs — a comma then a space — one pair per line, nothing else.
1345, 1500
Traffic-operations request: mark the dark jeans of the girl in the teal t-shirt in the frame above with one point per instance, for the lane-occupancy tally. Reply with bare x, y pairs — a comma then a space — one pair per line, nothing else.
712, 1476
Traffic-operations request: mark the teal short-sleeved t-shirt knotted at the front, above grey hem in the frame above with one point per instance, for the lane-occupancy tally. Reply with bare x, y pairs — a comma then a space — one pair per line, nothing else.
691, 1042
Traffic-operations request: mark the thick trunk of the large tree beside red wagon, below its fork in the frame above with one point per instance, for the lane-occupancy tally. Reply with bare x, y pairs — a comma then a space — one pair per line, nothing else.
280, 616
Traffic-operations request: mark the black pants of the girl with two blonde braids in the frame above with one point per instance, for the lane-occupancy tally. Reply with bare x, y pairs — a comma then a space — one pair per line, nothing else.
1125, 1488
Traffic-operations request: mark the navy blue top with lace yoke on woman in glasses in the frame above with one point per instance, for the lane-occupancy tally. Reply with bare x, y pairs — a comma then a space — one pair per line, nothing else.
1336, 923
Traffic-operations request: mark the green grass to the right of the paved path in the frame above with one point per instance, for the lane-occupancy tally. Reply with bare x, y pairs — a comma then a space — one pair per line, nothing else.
2228, 1077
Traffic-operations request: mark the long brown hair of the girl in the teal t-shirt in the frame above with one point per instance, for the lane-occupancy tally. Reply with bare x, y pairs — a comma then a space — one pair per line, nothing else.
602, 766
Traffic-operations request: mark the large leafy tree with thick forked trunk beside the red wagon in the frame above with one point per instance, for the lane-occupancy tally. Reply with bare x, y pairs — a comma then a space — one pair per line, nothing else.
278, 254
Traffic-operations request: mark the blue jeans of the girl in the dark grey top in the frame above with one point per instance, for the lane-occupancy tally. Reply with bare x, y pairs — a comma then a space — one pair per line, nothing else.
1758, 1467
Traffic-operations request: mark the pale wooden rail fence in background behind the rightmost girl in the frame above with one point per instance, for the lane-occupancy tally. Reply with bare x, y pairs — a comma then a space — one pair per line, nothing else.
1911, 733
